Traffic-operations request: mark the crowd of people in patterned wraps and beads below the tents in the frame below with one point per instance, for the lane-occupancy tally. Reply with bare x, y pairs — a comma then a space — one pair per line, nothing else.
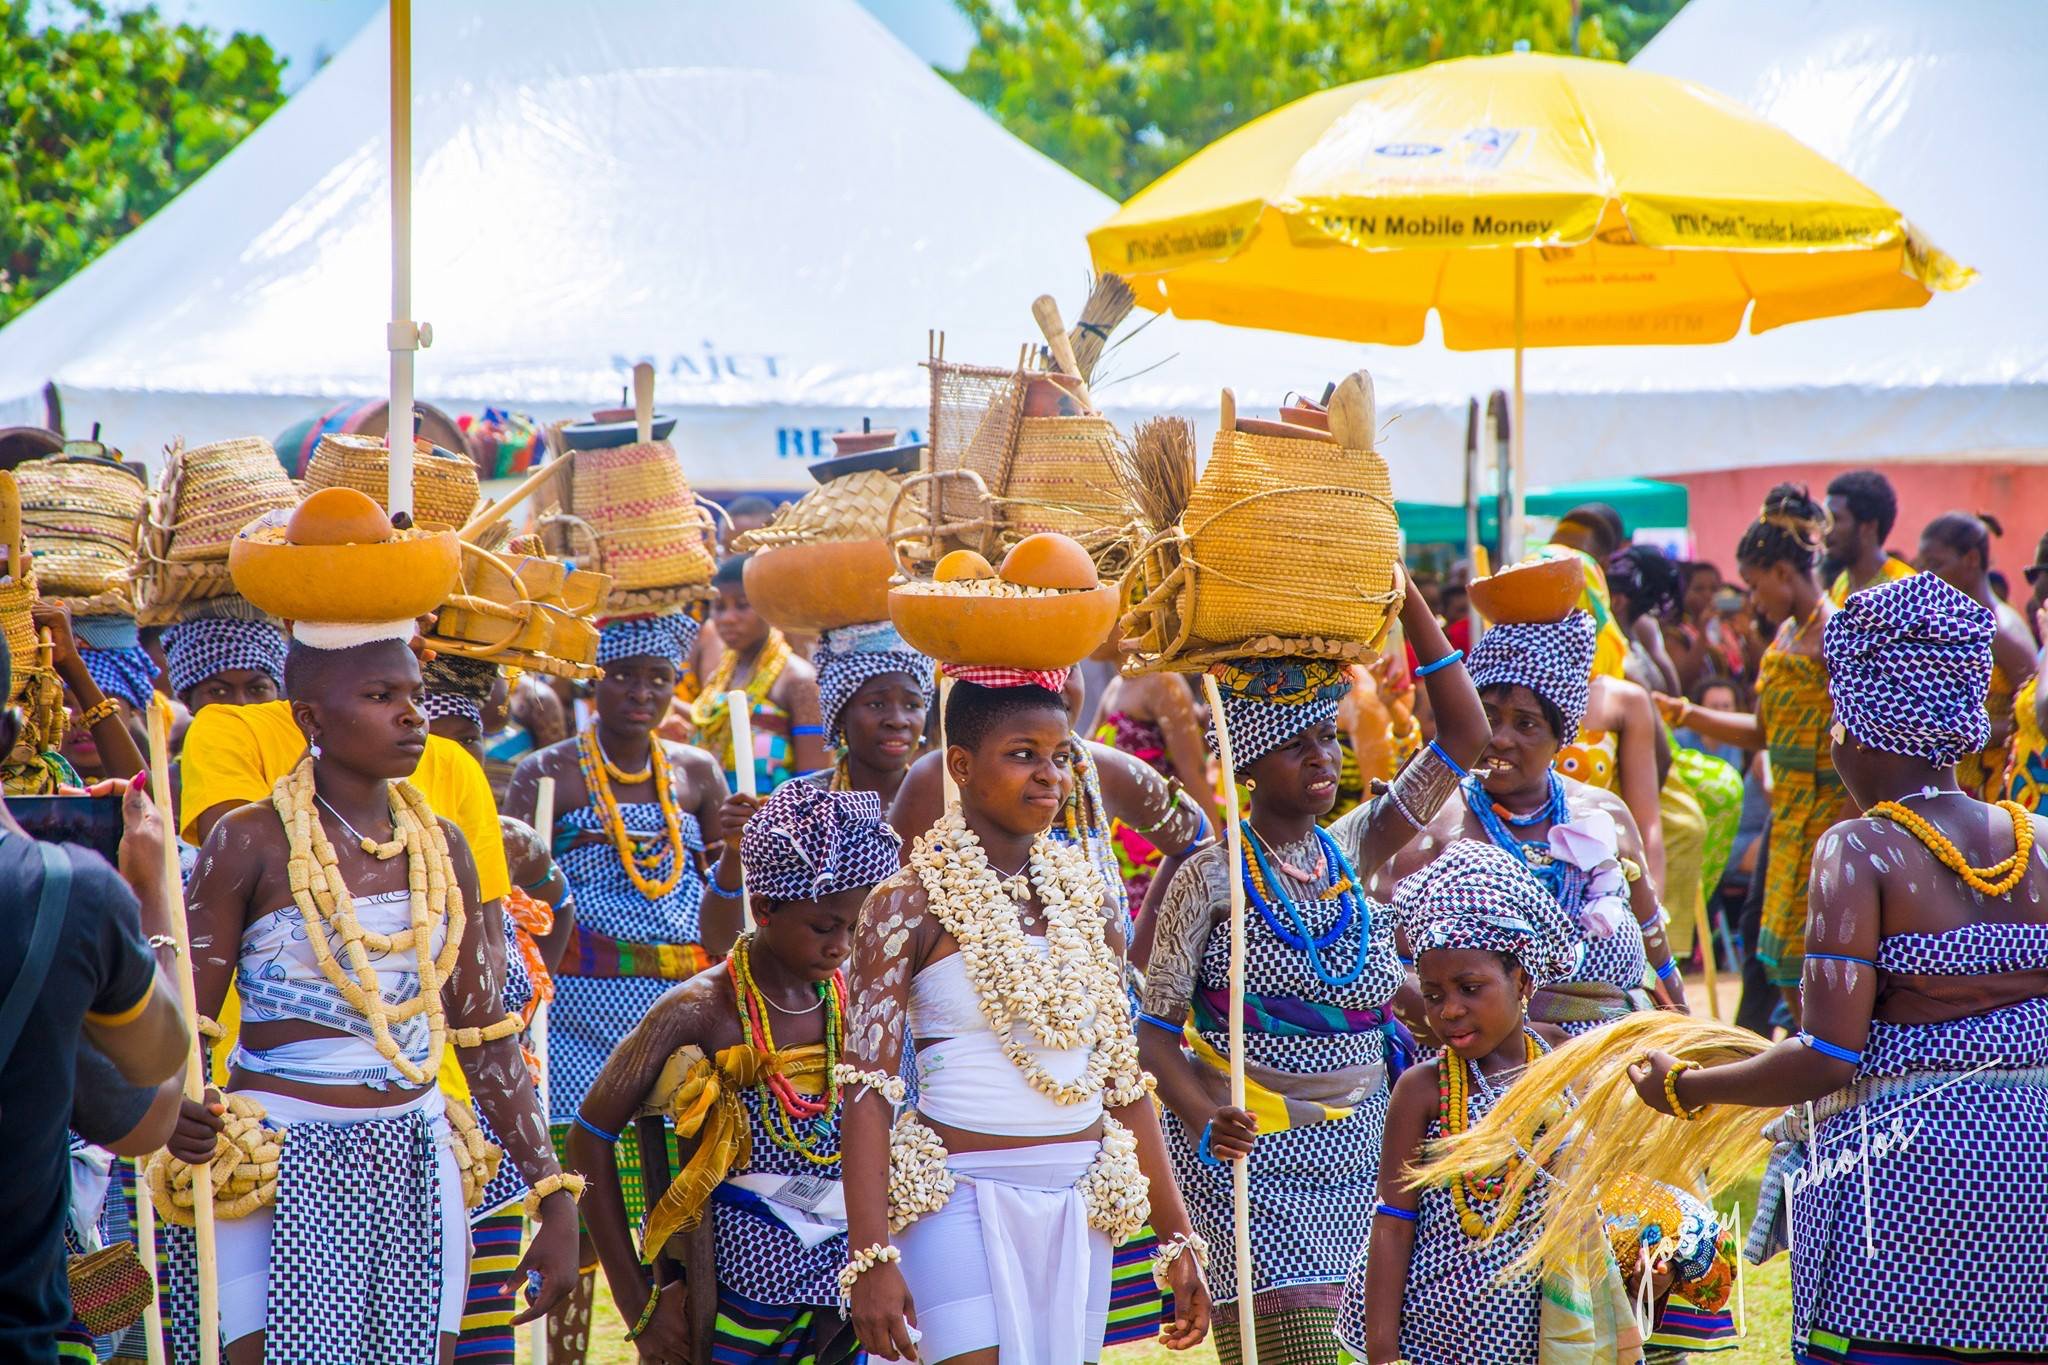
921, 1051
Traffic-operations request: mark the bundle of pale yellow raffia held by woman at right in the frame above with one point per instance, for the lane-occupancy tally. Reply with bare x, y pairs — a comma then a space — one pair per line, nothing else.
1611, 1141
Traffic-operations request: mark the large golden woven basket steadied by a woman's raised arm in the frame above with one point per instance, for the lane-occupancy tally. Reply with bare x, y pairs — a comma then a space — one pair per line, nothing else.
1287, 549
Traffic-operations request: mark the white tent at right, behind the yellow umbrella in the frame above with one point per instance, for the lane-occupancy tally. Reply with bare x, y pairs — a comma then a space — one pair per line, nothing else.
1928, 105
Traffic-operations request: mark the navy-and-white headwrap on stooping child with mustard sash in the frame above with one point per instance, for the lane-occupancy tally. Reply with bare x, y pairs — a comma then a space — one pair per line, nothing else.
808, 842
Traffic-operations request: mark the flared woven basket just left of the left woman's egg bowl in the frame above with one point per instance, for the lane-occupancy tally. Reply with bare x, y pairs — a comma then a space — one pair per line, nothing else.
202, 500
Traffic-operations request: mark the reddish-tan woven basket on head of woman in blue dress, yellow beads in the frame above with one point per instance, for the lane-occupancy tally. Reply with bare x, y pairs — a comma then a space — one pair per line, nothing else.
650, 529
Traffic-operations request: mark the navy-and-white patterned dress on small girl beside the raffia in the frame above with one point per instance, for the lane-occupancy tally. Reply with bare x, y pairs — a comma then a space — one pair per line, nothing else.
1455, 1309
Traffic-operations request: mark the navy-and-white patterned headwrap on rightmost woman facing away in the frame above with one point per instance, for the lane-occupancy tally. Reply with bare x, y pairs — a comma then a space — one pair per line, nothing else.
1910, 666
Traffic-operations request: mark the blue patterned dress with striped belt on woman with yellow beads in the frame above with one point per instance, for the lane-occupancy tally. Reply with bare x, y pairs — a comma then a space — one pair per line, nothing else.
605, 985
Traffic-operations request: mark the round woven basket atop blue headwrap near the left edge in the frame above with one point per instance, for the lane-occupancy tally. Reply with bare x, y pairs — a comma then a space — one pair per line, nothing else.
81, 517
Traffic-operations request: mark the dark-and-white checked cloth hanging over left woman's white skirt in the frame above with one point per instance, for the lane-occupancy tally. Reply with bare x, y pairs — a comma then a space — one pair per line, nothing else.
355, 1245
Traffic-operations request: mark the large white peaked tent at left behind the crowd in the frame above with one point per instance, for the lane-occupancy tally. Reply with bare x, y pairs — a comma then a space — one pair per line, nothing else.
773, 202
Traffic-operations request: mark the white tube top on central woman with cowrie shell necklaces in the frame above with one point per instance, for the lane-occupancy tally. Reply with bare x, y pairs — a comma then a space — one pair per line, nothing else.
964, 1077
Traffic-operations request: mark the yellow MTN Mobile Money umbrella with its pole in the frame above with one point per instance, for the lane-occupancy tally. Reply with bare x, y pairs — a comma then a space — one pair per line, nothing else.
1531, 202
